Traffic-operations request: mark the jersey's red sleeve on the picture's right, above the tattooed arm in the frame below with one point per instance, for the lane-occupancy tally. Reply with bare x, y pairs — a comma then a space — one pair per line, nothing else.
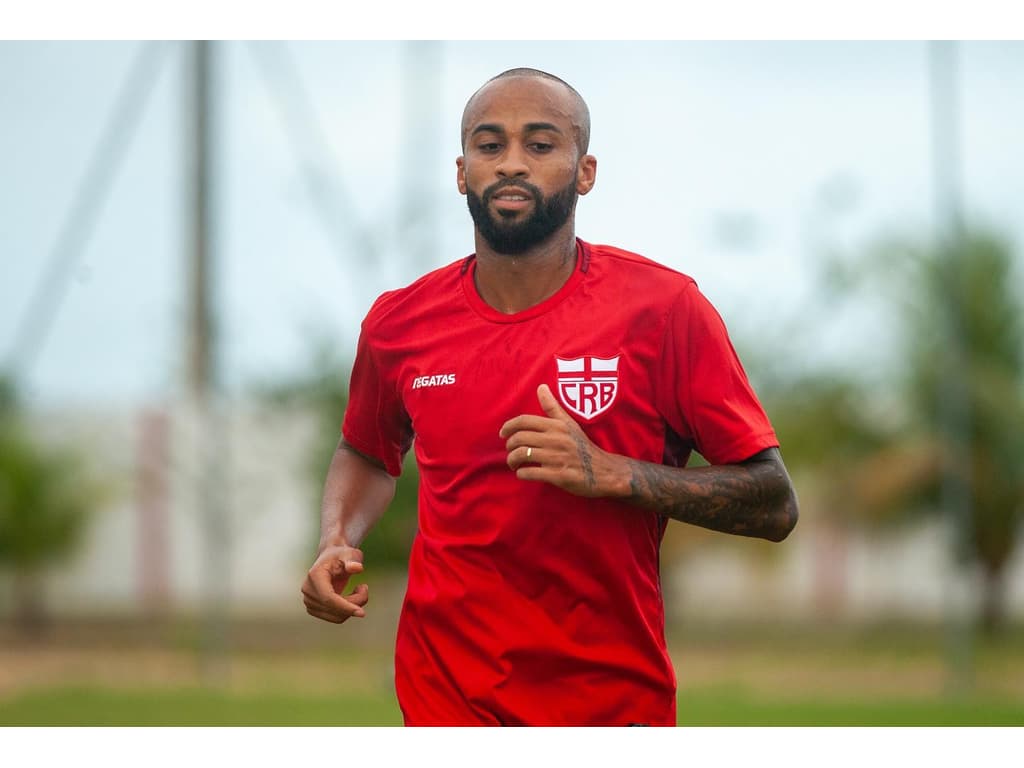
703, 392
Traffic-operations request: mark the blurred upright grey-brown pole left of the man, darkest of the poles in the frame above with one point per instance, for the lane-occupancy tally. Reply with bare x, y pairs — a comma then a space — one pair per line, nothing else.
202, 359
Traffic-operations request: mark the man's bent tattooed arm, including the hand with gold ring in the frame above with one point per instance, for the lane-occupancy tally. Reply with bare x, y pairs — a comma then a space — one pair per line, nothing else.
752, 498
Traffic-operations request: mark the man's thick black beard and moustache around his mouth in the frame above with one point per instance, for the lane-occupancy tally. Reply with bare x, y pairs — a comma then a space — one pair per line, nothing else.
504, 234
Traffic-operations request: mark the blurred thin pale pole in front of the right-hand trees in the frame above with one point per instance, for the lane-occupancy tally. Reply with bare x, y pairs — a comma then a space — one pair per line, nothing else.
954, 395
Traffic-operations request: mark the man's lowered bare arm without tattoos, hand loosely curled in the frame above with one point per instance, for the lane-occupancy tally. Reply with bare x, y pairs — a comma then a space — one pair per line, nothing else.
356, 495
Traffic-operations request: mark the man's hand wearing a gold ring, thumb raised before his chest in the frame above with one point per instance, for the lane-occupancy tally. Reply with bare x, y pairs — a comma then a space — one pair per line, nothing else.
556, 450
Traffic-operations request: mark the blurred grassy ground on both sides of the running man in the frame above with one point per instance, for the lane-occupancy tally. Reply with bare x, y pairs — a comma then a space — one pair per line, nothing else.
730, 675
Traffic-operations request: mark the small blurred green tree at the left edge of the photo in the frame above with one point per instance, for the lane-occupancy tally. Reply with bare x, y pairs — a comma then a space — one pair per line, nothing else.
47, 499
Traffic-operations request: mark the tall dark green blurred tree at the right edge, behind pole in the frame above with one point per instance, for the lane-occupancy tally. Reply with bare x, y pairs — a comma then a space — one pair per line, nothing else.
975, 285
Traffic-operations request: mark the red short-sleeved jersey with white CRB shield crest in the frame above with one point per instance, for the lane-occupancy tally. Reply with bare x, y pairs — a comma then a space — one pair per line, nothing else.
528, 605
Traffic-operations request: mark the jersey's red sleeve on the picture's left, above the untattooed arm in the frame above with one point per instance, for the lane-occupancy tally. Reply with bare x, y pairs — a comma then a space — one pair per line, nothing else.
376, 422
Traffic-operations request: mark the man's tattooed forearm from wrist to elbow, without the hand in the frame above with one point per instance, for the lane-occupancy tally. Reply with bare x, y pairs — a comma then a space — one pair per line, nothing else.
753, 499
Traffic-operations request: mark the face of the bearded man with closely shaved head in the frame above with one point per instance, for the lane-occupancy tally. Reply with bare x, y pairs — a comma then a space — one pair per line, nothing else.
522, 172
